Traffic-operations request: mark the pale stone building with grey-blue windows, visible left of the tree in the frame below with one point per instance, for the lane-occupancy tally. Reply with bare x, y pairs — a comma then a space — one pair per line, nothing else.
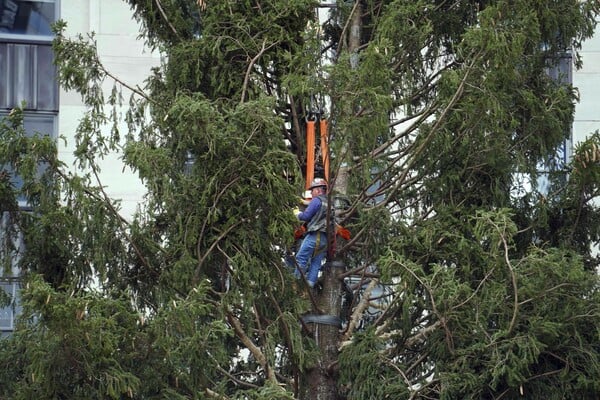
27, 74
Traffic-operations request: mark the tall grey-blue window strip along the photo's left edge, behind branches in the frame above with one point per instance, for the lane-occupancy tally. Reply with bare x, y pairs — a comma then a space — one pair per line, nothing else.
27, 74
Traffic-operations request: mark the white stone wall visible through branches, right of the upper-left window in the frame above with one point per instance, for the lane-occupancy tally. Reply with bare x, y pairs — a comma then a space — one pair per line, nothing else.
127, 58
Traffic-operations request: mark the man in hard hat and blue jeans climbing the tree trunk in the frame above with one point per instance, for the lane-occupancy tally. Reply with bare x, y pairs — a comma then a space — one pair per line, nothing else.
314, 245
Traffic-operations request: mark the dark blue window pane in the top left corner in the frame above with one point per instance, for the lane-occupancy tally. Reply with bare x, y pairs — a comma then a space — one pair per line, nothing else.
27, 17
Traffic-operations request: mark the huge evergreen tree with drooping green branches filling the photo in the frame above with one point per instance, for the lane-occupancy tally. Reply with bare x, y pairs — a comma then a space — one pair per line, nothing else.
461, 279
